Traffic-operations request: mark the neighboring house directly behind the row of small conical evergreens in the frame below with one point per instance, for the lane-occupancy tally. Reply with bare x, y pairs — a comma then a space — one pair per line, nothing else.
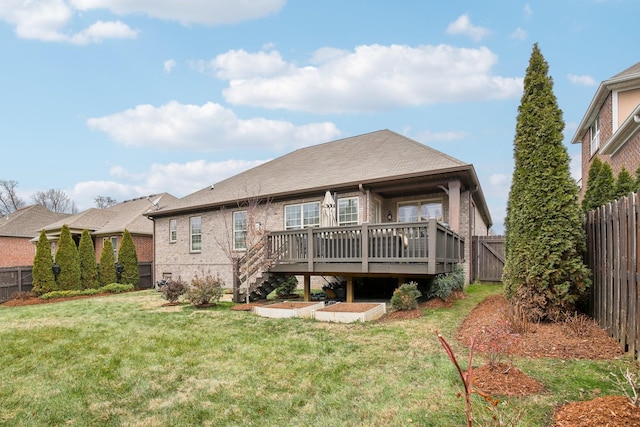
111, 222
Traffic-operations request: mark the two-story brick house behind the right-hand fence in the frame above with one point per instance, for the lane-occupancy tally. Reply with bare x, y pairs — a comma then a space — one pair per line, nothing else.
610, 129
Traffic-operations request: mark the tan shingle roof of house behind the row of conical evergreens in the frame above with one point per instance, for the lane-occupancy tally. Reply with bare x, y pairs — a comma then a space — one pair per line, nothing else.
115, 219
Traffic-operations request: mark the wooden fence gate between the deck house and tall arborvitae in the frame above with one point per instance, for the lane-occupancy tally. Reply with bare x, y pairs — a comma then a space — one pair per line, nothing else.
487, 258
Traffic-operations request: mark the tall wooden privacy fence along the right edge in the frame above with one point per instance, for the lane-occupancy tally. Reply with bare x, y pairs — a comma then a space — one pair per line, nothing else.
613, 256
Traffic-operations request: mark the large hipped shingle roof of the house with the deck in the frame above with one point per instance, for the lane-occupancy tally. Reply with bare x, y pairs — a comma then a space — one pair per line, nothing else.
359, 159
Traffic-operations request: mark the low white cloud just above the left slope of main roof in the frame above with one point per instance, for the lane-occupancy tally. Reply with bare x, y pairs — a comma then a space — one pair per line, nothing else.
178, 179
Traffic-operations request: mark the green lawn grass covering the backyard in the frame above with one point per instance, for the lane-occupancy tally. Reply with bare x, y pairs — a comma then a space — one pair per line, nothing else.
125, 360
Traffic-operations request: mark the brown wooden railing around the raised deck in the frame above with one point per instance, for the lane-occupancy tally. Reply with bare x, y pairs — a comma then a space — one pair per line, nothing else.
429, 243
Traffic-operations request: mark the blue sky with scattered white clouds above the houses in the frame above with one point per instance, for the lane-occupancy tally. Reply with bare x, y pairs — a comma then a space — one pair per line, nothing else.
125, 98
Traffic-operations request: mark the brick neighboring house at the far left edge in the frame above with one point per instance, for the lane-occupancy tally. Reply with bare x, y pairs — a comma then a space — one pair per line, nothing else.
16, 231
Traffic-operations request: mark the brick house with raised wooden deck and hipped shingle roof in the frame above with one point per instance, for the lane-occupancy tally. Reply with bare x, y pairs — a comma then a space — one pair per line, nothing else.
388, 196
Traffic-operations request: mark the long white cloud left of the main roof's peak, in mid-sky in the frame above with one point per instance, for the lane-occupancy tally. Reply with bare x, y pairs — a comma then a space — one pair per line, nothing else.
207, 127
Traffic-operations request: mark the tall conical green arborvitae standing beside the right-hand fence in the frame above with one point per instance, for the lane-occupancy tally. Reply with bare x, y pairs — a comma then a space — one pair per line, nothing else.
544, 236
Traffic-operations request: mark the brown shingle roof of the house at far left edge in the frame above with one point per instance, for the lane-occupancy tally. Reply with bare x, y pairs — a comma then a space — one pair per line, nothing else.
28, 221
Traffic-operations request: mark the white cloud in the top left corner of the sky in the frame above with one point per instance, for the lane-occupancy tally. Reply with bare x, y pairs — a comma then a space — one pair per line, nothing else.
49, 20
